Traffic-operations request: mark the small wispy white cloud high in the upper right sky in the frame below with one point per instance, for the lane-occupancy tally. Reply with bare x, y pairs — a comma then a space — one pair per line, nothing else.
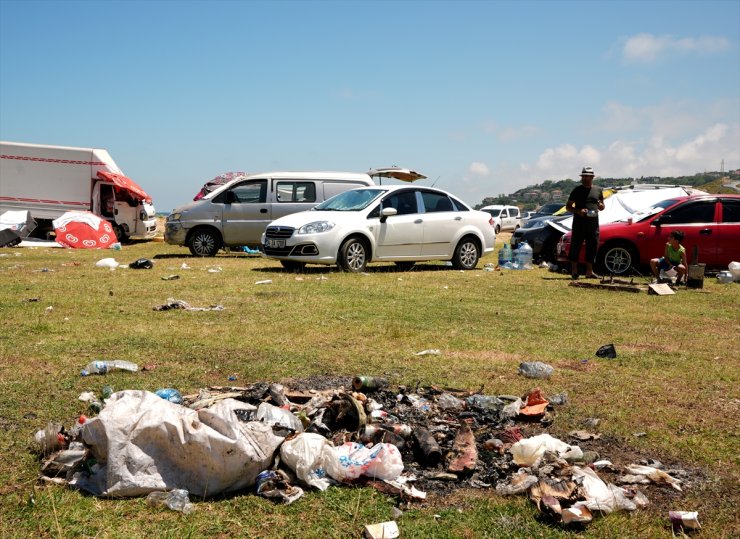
647, 48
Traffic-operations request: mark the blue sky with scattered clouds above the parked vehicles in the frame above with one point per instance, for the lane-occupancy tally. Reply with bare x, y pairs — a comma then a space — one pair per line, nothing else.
482, 97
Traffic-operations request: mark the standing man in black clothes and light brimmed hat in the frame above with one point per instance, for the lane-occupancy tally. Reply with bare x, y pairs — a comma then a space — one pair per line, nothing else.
585, 202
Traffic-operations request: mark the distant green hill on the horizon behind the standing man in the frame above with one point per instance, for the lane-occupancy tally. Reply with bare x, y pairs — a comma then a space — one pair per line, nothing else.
533, 196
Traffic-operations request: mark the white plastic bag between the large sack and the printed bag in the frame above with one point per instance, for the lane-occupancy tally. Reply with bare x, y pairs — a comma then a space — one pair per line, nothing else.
312, 457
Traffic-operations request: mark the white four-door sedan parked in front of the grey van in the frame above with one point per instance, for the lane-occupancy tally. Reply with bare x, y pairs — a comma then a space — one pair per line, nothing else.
391, 223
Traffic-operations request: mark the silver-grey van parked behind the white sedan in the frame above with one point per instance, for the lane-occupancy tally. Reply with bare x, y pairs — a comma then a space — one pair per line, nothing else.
236, 213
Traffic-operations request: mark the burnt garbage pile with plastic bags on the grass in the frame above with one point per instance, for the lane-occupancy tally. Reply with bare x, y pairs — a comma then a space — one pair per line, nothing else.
281, 439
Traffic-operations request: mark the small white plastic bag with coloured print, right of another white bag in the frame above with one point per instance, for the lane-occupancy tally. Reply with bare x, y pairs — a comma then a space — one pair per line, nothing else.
381, 461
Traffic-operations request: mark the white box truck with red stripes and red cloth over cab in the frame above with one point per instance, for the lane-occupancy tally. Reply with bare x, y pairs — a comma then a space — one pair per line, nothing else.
51, 180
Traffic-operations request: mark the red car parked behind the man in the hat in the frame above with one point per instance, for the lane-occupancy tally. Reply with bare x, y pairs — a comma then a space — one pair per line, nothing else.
709, 222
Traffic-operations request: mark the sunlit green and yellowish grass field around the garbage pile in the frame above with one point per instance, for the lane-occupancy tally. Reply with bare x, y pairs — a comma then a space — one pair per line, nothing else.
675, 379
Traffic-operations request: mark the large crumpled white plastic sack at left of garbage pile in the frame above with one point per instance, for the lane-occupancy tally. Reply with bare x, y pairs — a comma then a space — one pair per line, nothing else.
144, 443
